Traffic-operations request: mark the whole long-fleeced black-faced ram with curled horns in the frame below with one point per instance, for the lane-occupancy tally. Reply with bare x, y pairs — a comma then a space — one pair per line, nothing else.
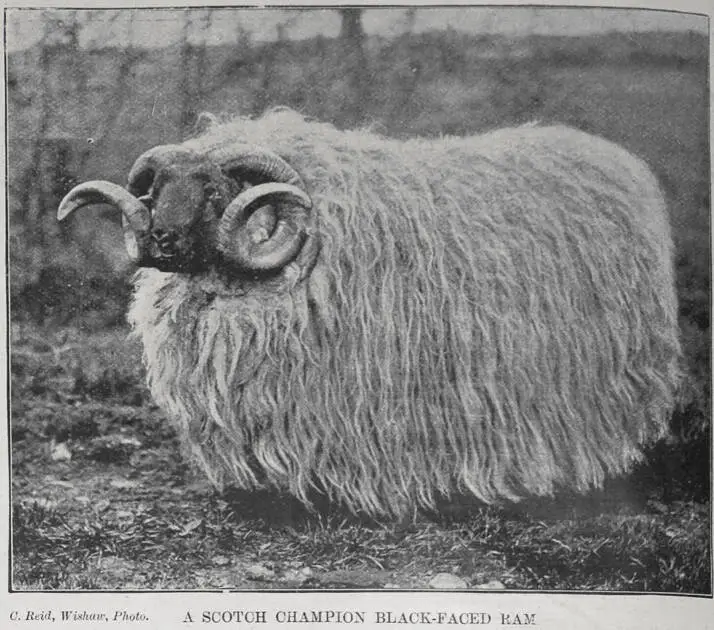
388, 323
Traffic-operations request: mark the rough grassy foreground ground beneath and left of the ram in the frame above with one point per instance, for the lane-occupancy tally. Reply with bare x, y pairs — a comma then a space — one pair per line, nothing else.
102, 499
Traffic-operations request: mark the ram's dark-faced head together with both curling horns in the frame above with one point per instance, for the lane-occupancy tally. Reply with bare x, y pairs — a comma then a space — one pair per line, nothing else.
184, 211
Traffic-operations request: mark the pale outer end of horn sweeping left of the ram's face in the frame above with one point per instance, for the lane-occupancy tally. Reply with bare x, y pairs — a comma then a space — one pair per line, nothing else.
136, 218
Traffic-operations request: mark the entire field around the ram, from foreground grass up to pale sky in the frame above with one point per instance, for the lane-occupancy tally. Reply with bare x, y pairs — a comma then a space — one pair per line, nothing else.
101, 496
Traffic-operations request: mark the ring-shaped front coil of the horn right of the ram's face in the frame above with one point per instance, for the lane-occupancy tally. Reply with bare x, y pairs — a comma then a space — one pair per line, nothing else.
292, 209
